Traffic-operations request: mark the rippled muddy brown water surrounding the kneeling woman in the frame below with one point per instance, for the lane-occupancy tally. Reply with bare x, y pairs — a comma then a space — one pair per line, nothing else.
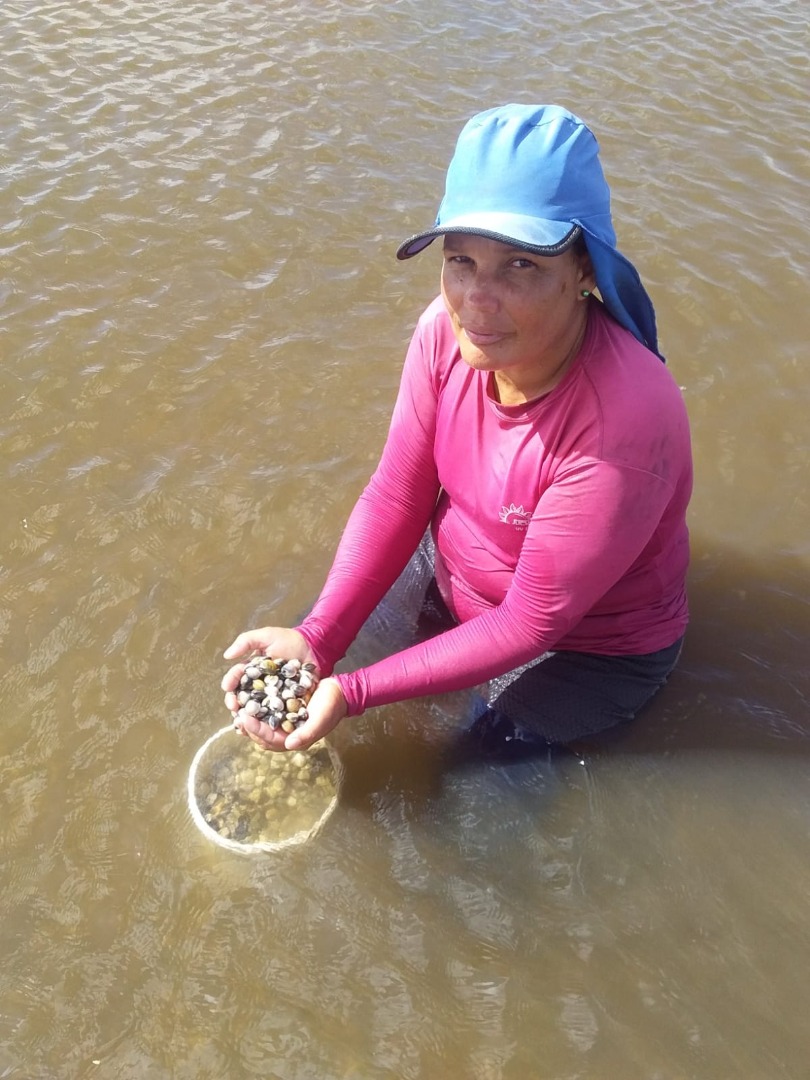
202, 325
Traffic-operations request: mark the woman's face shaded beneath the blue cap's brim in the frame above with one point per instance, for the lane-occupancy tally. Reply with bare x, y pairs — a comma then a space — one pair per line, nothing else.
514, 312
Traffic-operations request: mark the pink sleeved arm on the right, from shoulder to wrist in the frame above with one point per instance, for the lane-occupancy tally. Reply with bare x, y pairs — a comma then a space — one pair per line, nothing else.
587, 533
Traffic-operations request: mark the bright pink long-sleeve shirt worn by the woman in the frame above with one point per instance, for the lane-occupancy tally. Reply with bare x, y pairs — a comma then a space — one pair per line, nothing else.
559, 524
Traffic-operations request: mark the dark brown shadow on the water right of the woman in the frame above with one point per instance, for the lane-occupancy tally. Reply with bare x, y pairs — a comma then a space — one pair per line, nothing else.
744, 681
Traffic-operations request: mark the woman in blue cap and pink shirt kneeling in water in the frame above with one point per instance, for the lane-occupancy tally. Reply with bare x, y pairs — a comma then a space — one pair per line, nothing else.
541, 447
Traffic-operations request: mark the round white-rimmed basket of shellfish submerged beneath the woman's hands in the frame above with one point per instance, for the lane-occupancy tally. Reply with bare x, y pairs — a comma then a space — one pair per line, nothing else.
248, 800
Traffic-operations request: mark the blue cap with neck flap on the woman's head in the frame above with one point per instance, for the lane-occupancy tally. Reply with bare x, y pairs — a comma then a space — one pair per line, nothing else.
531, 175
